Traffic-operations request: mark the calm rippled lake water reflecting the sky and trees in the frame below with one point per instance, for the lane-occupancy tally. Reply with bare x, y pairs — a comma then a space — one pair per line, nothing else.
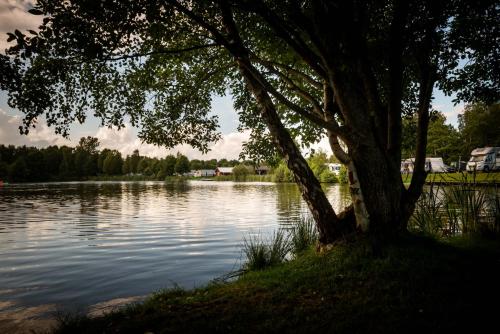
78, 244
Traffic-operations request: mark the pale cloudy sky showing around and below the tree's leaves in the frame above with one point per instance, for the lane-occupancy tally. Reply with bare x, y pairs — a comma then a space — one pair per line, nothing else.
13, 15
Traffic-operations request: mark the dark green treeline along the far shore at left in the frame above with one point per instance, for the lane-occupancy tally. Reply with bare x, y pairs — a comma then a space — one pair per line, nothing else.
54, 163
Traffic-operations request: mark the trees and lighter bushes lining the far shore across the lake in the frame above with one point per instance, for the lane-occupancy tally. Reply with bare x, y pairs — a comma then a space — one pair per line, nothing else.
87, 162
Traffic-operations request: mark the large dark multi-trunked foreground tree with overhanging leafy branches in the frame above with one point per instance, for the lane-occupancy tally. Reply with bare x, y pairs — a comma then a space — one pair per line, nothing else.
297, 70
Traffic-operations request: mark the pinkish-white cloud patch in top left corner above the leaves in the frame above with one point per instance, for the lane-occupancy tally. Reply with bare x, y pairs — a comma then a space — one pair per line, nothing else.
14, 15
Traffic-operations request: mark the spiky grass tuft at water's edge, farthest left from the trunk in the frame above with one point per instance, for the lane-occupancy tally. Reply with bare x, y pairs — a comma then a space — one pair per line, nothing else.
262, 253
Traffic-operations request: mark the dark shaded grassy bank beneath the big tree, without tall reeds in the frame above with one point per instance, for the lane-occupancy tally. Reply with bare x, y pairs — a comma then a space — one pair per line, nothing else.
415, 285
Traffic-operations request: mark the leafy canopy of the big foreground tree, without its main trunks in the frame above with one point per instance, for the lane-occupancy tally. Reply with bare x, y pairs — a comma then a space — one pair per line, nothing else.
158, 63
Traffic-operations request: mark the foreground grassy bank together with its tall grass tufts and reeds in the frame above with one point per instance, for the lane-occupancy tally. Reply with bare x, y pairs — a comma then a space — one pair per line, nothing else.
442, 277
